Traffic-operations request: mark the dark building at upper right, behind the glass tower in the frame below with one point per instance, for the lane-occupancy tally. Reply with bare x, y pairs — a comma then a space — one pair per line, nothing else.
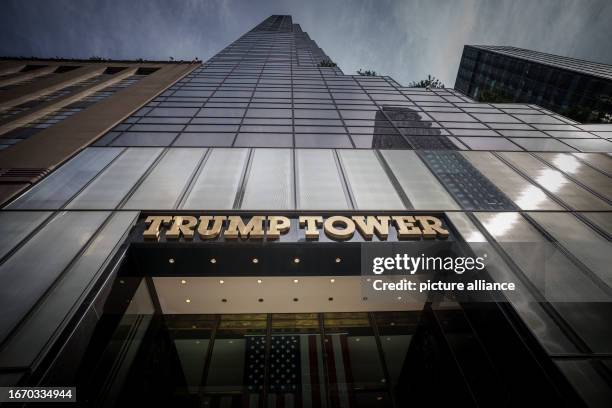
578, 89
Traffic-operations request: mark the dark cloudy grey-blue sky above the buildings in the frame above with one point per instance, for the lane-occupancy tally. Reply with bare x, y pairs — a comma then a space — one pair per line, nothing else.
405, 39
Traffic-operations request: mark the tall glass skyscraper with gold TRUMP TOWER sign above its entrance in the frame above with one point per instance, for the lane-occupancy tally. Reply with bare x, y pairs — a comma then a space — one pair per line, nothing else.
204, 244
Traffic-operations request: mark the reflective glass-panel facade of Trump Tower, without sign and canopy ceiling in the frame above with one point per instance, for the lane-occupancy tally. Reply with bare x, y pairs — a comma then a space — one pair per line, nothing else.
266, 125
